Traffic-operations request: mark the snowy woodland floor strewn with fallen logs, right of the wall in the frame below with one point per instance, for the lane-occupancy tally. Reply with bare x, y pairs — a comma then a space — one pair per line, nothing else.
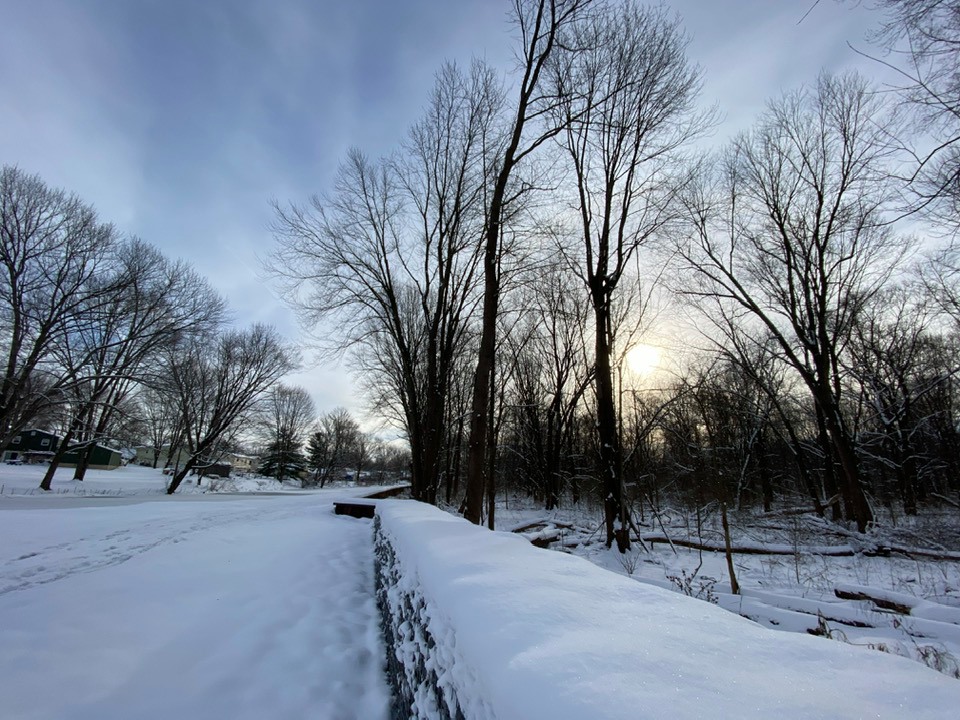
795, 589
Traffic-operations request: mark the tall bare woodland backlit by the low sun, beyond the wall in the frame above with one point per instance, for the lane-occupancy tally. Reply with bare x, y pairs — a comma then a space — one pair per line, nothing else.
492, 272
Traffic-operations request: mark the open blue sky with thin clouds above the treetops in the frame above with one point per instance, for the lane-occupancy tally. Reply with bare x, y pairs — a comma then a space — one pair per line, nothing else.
181, 120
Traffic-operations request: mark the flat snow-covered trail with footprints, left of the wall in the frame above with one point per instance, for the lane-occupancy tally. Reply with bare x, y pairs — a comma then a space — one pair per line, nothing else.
243, 609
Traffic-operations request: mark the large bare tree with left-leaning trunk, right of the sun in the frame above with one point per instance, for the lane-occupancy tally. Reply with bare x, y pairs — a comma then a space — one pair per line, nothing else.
793, 238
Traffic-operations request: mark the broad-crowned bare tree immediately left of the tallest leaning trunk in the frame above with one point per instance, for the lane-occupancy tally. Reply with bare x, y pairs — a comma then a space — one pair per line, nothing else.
392, 254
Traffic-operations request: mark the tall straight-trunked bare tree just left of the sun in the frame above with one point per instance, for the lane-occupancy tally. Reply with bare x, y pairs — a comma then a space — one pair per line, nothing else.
627, 108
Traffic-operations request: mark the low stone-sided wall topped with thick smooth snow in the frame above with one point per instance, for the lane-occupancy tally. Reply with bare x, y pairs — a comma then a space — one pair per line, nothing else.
483, 625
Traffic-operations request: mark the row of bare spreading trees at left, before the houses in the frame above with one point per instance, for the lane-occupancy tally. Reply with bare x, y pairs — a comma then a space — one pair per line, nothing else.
106, 340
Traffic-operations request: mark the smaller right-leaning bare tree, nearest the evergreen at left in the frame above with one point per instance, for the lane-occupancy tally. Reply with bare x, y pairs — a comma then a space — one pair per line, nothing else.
218, 381
